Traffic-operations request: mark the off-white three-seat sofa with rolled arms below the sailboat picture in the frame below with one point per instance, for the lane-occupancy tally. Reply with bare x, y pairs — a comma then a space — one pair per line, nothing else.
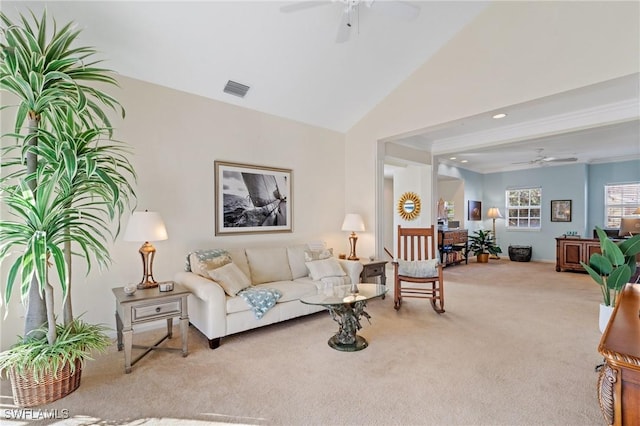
217, 313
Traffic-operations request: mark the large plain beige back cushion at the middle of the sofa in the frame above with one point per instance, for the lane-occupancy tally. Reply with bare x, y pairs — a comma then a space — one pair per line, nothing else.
268, 264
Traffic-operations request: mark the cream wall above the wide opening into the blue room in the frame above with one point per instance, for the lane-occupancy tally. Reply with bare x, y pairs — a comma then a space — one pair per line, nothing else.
511, 53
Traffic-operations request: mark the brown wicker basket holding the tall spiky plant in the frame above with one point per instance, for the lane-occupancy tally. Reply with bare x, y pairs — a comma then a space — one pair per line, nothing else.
29, 393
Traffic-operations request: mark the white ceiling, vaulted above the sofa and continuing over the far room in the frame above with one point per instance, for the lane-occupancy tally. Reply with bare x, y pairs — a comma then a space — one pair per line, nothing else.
287, 53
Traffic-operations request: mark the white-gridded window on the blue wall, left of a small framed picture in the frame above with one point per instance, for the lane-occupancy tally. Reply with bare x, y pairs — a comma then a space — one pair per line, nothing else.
523, 208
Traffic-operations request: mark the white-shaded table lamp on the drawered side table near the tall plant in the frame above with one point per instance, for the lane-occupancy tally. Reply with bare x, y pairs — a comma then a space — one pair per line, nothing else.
146, 226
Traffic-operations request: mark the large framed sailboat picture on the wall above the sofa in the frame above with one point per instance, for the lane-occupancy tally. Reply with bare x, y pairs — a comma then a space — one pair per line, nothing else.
252, 199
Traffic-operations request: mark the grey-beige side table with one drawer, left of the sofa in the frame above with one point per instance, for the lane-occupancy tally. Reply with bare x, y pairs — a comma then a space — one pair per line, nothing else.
145, 306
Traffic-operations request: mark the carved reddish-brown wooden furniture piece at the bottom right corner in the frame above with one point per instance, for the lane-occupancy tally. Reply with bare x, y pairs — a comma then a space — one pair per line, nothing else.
619, 381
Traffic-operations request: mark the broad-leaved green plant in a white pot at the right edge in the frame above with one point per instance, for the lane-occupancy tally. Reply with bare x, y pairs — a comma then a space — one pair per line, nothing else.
612, 269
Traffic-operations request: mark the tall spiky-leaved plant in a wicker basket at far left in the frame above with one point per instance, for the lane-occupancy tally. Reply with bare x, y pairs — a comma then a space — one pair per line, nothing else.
64, 182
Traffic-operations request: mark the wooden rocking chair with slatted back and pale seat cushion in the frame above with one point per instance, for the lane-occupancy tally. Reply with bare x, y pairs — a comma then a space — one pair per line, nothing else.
417, 270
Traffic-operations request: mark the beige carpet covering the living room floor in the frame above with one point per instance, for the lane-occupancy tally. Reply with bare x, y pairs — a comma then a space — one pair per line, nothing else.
517, 346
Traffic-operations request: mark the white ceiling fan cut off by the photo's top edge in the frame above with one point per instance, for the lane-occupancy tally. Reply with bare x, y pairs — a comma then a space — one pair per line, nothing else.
351, 9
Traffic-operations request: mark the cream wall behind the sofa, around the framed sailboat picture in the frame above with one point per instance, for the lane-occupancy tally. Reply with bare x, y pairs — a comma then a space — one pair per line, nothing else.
176, 137
